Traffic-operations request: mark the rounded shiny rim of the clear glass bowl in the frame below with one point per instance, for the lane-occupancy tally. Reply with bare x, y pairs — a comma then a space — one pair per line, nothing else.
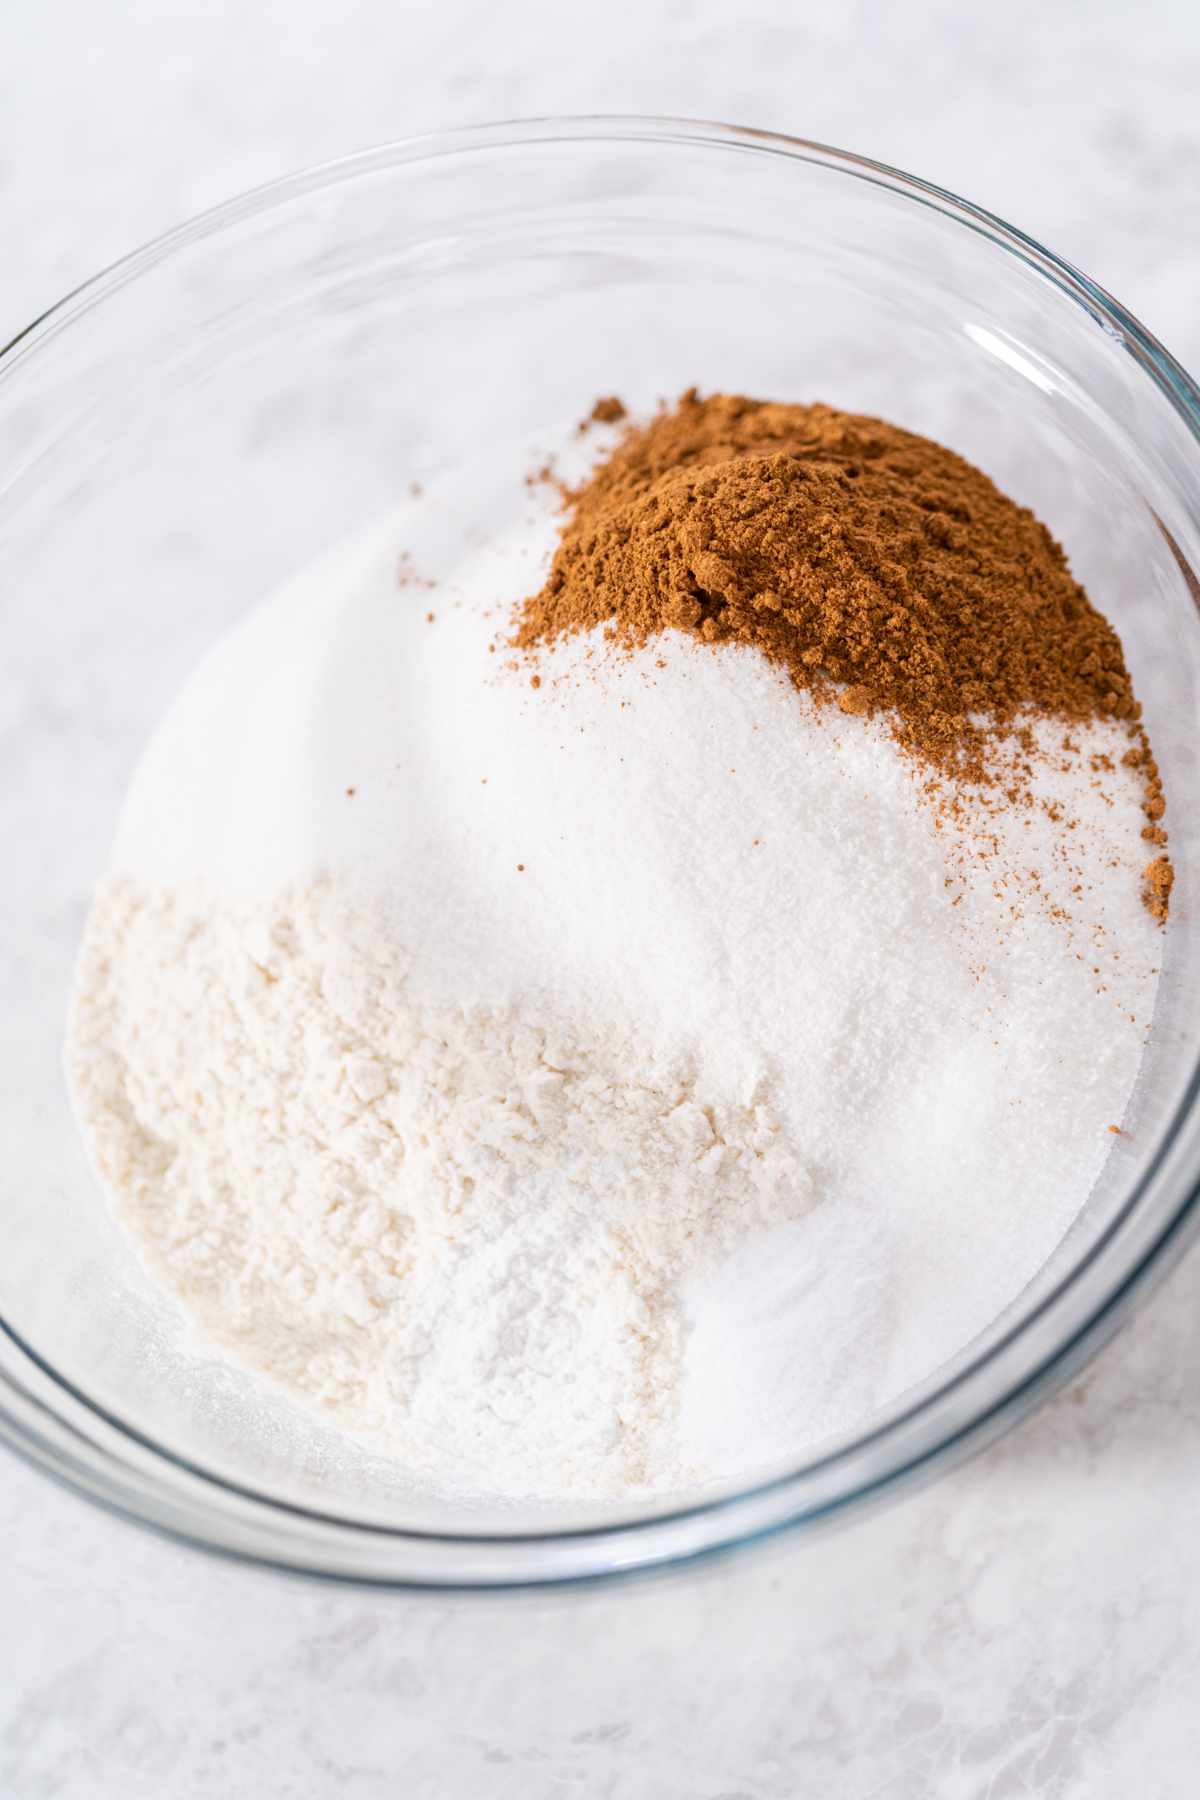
204, 1509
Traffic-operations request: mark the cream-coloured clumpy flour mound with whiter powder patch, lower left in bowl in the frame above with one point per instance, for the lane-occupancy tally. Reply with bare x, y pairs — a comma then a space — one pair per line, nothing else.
454, 1228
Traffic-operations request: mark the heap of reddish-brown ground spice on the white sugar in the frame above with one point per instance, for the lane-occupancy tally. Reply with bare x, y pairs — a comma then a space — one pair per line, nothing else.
879, 568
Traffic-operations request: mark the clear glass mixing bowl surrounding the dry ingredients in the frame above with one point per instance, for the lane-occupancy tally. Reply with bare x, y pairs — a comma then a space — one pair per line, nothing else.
211, 413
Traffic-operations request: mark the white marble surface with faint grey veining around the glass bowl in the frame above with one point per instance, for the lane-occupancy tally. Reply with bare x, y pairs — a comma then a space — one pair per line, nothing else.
1030, 1626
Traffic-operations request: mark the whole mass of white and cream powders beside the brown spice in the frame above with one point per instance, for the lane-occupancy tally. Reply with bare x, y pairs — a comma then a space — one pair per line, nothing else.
614, 1086
